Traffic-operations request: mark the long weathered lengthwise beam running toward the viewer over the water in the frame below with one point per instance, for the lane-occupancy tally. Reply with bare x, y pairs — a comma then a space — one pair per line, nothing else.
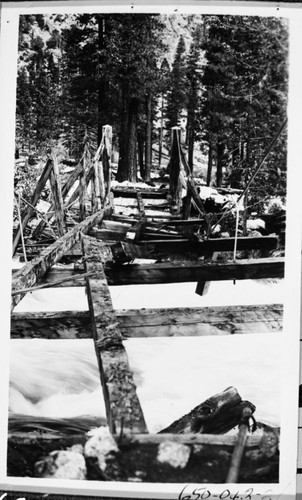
123, 409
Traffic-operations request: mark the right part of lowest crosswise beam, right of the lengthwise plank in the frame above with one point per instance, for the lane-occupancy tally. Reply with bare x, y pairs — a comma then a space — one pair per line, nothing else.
191, 321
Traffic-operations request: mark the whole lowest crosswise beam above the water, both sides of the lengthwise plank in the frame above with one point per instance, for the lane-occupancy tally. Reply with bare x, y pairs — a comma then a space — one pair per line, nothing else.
135, 323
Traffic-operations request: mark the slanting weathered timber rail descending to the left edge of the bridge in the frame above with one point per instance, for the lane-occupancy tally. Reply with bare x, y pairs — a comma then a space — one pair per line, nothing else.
28, 275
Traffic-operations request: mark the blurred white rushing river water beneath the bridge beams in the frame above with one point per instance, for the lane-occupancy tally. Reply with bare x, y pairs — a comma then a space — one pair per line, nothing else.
60, 378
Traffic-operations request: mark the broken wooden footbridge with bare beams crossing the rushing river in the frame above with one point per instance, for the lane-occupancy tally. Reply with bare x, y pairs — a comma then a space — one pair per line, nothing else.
105, 231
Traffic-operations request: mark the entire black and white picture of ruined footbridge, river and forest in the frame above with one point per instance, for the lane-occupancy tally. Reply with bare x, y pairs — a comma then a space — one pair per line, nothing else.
148, 326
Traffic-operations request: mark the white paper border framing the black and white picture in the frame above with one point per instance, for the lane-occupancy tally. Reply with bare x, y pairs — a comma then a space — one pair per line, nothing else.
286, 488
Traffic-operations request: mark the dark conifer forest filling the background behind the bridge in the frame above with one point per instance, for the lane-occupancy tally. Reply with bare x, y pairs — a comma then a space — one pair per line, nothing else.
222, 79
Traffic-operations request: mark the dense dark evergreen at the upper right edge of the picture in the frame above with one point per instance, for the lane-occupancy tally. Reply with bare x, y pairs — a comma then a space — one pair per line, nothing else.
245, 82
